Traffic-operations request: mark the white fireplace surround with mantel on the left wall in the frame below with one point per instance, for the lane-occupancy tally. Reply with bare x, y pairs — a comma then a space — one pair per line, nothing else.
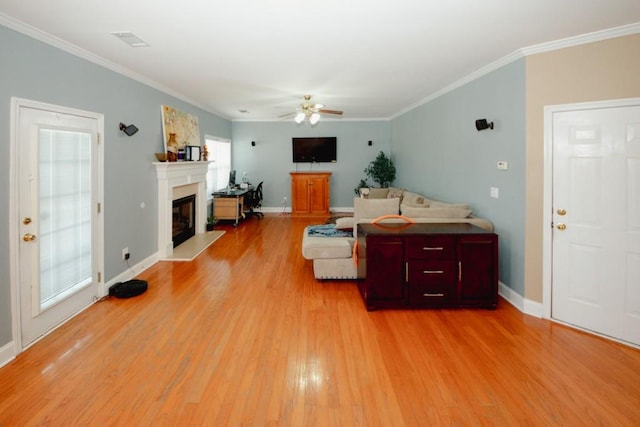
175, 180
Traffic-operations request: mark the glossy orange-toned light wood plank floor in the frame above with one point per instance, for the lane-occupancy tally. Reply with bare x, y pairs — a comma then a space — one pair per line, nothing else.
244, 335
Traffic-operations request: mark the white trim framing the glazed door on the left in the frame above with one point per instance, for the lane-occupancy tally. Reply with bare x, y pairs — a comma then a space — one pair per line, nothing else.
14, 214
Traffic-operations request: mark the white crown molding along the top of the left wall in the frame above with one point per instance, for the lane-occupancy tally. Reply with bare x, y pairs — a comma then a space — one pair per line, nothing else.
37, 34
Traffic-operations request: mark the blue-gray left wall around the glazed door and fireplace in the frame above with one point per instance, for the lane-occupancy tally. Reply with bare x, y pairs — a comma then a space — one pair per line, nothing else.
34, 70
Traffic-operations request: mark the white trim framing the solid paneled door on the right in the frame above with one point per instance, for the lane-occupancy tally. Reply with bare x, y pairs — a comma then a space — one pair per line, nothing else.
547, 202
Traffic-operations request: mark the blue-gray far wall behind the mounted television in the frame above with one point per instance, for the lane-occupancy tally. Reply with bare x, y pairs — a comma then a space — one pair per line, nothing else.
271, 159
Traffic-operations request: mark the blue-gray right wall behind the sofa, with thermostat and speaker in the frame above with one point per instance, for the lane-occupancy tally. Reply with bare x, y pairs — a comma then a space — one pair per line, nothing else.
439, 153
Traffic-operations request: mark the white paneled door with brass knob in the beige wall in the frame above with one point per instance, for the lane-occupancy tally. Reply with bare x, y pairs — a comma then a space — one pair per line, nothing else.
596, 220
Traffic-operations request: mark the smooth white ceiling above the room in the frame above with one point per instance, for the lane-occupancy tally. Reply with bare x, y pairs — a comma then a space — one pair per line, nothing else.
372, 59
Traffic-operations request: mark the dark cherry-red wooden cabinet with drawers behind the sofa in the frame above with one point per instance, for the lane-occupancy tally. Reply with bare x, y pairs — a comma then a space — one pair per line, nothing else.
428, 265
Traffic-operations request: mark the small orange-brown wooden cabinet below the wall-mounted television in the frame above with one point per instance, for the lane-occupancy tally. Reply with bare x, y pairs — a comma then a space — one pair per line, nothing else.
310, 193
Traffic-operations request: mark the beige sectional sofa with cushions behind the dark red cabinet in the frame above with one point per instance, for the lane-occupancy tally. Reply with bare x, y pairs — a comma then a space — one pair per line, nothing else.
332, 257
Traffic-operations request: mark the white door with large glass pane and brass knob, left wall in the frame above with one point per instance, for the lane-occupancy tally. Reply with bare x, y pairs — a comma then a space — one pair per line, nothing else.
58, 230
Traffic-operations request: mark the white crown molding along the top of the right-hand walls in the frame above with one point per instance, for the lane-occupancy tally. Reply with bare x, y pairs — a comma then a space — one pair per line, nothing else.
596, 36
